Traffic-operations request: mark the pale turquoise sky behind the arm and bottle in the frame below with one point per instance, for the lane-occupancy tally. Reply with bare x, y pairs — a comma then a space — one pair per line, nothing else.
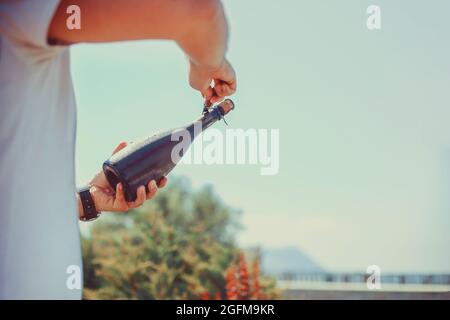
363, 115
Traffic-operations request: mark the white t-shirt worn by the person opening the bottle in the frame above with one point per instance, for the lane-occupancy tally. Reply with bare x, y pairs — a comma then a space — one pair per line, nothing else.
39, 235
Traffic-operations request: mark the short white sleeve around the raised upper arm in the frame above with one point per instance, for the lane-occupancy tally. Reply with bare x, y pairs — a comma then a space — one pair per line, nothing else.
26, 22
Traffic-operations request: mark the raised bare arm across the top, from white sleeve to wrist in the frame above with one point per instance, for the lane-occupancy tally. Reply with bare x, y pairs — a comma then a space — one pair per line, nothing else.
198, 26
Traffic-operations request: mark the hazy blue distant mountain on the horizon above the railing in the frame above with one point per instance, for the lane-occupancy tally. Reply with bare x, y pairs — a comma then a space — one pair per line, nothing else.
288, 259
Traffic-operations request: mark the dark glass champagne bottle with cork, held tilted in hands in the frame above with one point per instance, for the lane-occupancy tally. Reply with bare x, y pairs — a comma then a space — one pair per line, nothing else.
153, 158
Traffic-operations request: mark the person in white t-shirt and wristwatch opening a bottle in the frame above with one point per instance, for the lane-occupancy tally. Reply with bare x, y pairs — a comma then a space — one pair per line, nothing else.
39, 231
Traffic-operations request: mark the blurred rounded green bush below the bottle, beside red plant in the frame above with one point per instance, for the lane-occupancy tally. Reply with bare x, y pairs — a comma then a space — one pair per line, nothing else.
179, 246
